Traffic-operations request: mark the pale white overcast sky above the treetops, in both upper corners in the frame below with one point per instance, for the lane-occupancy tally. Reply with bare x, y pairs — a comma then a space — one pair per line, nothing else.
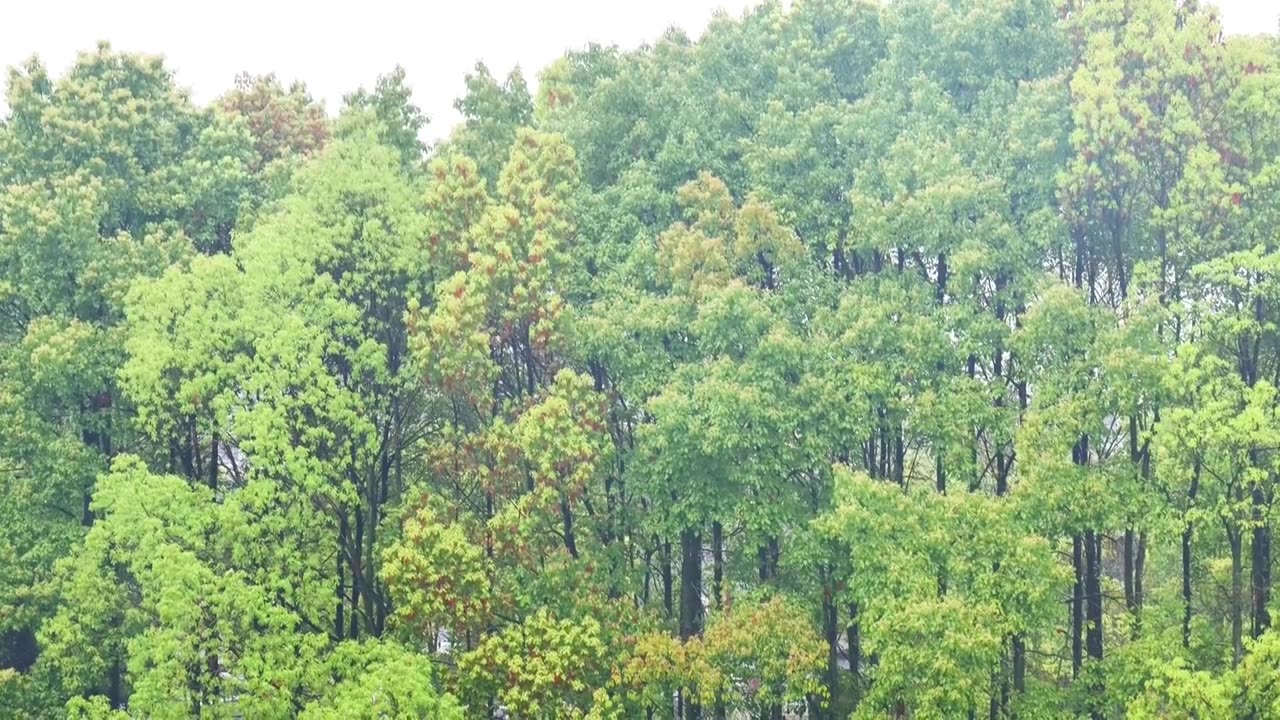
340, 45
